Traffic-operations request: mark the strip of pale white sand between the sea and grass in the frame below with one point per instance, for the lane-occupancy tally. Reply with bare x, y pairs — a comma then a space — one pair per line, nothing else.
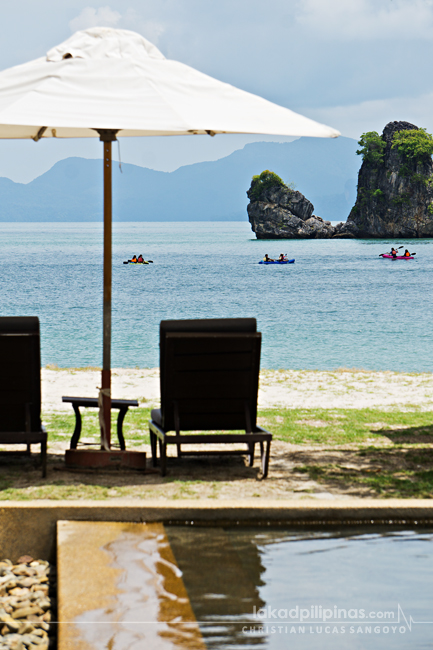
342, 388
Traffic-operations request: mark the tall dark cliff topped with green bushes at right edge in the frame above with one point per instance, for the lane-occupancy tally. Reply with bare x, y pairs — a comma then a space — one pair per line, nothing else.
395, 184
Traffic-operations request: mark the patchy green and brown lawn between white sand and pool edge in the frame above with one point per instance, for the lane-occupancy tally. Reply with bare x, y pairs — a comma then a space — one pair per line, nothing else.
361, 452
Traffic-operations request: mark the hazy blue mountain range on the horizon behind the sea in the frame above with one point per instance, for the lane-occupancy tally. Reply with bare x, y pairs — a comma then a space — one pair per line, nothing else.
324, 170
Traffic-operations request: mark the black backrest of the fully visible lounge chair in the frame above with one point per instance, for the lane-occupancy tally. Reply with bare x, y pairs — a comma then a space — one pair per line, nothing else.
209, 374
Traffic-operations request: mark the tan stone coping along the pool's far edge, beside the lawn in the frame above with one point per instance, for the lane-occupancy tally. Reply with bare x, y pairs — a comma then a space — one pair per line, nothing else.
29, 527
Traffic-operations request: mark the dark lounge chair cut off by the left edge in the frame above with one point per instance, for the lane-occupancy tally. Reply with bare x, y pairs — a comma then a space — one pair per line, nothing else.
20, 385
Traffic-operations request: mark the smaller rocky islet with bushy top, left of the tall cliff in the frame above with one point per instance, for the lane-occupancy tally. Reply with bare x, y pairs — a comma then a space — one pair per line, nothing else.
276, 211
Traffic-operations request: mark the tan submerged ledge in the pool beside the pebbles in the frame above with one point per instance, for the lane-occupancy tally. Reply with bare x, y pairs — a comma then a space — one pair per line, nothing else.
119, 587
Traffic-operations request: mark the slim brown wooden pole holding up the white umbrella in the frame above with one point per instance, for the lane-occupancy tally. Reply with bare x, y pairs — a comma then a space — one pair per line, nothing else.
107, 136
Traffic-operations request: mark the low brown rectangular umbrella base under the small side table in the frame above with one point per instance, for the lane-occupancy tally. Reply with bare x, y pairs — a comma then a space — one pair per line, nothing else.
99, 458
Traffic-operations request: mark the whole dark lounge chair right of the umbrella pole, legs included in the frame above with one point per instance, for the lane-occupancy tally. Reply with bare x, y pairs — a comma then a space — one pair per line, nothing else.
209, 381
